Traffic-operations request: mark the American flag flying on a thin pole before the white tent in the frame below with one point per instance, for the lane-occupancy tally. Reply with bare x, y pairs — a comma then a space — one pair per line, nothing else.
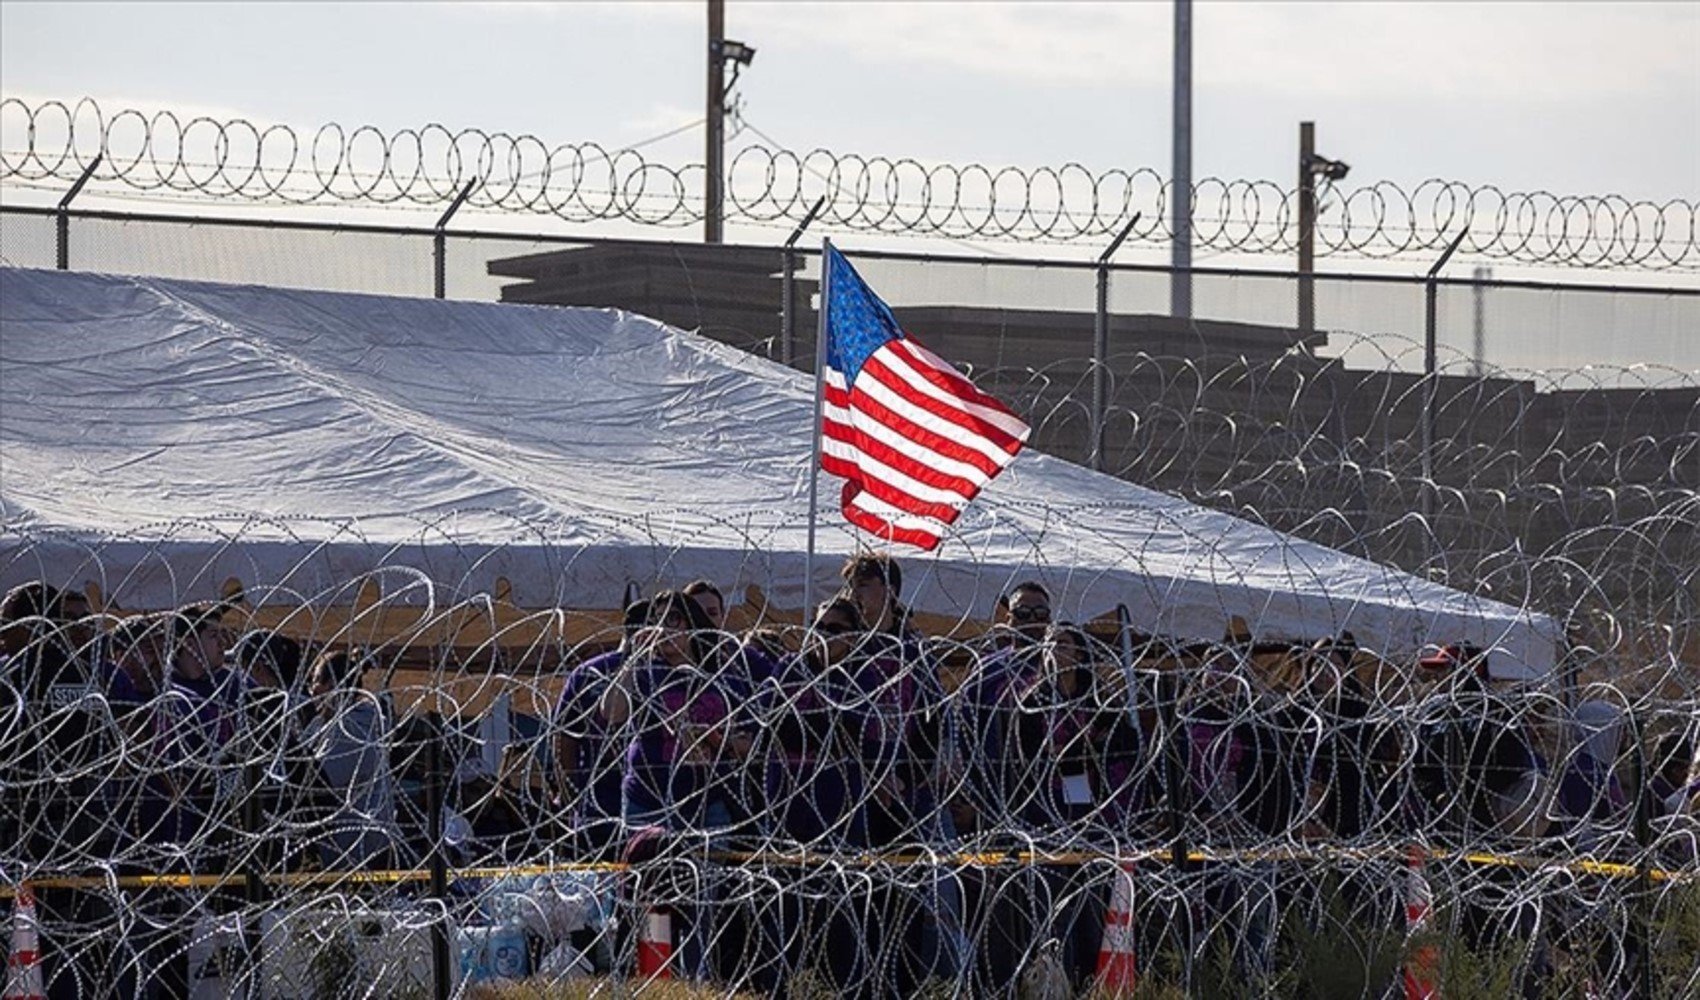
912, 438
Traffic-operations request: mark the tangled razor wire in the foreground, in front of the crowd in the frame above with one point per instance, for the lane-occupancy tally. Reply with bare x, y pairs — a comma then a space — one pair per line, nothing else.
854, 824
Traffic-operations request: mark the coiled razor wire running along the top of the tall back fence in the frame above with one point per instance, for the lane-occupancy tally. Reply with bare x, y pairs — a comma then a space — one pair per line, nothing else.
201, 157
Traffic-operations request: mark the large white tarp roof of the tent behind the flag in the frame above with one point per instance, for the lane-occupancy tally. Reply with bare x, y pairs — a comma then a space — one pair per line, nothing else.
164, 436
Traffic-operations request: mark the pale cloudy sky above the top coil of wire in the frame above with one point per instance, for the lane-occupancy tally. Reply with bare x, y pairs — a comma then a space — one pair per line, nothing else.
1567, 98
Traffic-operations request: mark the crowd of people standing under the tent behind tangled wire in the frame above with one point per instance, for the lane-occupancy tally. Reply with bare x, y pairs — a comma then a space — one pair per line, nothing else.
167, 744
